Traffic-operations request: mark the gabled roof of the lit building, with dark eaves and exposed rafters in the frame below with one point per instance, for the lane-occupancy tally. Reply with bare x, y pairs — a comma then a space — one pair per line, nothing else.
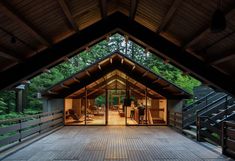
118, 68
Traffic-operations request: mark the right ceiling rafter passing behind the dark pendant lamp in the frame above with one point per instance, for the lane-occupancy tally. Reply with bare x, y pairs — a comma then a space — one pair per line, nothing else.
205, 30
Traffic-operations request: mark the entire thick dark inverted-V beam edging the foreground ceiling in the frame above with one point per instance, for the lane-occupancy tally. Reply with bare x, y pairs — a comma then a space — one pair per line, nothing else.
159, 46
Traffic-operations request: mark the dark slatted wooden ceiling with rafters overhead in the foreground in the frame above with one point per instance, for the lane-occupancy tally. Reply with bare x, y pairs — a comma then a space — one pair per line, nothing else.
36, 34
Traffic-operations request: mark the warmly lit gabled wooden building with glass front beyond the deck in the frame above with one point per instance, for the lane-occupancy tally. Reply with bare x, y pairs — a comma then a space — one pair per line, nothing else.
114, 77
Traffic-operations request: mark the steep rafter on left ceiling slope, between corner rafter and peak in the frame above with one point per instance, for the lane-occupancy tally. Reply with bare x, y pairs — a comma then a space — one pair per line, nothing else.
67, 12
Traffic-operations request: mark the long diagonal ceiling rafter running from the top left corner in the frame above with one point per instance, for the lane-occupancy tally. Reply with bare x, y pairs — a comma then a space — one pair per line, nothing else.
14, 15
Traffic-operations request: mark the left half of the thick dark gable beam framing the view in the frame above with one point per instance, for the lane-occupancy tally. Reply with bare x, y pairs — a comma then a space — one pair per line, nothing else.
46, 58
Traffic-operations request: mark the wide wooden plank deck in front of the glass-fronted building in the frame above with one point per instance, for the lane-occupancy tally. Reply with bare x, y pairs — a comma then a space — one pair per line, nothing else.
98, 143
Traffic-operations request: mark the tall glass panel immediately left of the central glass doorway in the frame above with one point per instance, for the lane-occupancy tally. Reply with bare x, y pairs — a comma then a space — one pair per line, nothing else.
96, 107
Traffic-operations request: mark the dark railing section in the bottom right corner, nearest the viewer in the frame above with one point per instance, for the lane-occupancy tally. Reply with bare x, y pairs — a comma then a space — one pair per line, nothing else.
228, 138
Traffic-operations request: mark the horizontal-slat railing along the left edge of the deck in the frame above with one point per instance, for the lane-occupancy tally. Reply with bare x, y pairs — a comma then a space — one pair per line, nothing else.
14, 130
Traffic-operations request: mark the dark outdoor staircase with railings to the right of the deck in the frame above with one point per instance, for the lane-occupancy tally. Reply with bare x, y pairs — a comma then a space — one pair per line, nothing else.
212, 110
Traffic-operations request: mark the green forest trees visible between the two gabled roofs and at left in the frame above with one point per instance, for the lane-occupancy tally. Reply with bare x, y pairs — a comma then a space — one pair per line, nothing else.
85, 58
